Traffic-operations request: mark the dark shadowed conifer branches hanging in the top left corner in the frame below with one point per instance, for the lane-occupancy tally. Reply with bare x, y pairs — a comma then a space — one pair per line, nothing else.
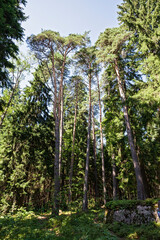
11, 17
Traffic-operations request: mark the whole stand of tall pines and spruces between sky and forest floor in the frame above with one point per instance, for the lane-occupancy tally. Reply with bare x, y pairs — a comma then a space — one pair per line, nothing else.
86, 128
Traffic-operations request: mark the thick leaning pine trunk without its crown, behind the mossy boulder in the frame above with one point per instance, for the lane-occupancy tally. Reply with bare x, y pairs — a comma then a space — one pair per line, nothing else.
140, 185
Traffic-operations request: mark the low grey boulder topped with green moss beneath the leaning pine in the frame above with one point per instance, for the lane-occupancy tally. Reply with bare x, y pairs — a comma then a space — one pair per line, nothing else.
132, 211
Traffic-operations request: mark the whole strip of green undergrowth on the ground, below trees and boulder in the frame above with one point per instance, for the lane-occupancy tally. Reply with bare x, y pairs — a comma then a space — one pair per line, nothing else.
69, 226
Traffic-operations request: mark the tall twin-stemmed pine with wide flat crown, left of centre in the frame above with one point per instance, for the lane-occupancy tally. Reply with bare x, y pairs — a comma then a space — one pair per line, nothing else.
52, 51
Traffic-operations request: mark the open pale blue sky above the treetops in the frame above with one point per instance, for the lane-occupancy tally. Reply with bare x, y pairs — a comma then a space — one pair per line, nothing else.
71, 16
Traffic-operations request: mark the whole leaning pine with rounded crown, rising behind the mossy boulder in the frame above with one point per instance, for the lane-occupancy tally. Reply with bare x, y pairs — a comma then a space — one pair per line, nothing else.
110, 44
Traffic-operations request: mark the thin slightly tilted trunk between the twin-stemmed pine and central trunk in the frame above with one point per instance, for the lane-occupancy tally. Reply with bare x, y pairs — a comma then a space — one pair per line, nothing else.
73, 144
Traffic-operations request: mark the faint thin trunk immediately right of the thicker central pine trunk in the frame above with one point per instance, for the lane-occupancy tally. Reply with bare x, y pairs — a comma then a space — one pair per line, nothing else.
95, 156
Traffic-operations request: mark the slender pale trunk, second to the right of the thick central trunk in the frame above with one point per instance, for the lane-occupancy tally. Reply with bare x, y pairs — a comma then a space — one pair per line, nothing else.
102, 150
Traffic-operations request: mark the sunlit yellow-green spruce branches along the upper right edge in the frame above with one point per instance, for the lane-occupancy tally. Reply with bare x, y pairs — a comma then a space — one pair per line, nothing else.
142, 18
